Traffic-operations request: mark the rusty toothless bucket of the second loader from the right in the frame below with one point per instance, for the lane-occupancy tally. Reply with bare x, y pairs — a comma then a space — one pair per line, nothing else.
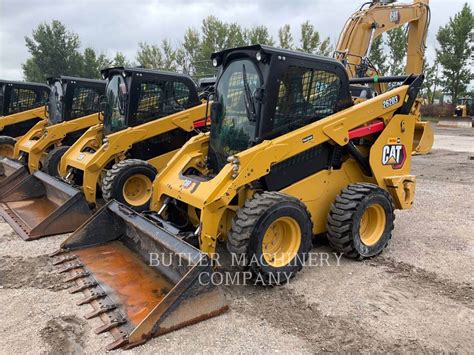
41, 205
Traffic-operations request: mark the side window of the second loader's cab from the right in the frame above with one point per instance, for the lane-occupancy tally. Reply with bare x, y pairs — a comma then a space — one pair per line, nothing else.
150, 102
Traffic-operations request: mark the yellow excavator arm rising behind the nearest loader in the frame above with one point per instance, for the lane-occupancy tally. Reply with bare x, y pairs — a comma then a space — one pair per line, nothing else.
365, 25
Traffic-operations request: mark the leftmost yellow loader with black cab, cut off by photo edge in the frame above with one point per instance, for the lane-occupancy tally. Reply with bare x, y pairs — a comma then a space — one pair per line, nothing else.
22, 105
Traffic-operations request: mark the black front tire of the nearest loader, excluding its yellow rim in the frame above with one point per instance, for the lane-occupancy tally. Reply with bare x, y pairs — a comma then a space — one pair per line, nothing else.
245, 239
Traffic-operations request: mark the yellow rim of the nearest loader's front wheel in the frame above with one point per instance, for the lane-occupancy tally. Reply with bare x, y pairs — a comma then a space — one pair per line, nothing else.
281, 241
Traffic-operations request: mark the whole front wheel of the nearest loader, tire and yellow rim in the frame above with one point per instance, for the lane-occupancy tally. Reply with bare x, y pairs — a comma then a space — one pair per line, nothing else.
273, 234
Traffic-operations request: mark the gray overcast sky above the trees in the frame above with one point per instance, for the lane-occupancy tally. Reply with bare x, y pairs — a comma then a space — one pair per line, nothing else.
118, 25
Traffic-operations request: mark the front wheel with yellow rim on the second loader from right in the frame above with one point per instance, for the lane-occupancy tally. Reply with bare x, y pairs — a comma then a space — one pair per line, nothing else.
130, 182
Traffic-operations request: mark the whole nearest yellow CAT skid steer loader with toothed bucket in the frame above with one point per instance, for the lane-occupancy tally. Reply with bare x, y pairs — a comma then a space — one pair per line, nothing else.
289, 156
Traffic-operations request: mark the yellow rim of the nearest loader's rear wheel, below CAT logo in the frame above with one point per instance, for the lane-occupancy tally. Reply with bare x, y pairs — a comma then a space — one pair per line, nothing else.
372, 224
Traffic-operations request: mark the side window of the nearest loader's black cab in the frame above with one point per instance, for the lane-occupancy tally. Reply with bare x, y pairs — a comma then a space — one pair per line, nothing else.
305, 95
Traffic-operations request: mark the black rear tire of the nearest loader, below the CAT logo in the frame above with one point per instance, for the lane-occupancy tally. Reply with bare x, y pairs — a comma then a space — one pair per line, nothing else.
345, 215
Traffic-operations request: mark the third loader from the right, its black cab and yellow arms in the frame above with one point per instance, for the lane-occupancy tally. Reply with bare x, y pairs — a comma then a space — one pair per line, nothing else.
73, 107
